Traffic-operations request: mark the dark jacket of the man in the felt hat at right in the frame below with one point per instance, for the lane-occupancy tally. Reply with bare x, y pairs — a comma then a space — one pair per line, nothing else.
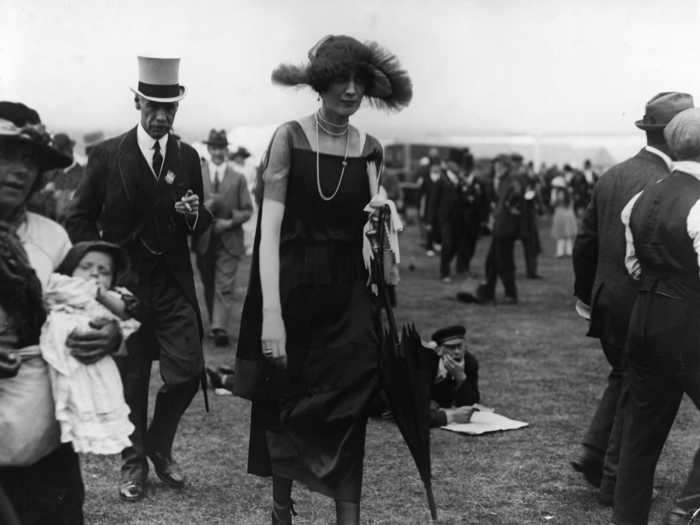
602, 280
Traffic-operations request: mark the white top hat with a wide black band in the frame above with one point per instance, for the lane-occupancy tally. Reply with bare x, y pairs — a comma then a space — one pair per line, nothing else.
158, 79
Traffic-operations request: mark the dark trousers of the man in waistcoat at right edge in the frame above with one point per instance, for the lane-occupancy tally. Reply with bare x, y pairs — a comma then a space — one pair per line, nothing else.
664, 362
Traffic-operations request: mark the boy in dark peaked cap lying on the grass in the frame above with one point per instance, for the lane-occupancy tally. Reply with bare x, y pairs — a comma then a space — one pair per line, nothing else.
456, 385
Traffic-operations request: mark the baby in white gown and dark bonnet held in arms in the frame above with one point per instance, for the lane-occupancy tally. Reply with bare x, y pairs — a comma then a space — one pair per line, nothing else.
89, 399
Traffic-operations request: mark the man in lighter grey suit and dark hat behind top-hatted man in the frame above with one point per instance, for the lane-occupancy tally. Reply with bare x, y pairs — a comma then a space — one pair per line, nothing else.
219, 250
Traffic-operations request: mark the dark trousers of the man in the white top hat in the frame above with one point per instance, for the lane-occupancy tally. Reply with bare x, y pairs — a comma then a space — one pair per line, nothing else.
174, 333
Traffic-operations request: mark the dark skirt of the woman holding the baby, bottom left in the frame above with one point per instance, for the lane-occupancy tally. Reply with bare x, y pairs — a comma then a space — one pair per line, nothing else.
49, 492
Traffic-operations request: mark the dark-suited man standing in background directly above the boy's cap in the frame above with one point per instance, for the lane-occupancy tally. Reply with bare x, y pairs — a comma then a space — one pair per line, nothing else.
448, 210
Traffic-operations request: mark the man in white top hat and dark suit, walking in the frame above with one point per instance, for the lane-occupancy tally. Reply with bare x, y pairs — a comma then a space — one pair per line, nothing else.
142, 190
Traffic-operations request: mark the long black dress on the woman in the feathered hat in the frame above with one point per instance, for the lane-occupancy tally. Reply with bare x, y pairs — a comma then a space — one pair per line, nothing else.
308, 422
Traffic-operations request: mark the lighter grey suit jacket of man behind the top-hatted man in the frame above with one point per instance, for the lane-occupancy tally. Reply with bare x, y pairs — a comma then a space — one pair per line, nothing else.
231, 202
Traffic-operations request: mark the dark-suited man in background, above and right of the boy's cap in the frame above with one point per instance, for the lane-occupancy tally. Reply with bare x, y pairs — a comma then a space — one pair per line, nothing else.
507, 216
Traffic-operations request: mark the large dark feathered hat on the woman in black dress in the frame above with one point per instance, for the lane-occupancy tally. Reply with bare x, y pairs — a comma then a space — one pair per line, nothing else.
334, 56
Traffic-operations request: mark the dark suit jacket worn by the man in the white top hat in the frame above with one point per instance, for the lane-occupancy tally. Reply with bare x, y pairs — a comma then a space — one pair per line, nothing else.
119, 200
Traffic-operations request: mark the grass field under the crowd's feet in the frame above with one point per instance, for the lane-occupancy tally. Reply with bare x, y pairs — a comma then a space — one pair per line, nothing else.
535, 366
